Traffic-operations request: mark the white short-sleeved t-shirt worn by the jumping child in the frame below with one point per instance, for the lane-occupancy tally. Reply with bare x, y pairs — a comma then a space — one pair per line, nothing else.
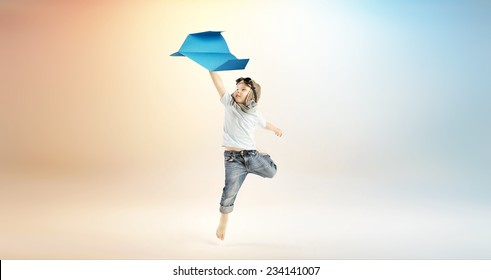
238, 126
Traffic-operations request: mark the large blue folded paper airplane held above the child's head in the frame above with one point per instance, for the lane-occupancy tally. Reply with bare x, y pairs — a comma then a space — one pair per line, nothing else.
210, 50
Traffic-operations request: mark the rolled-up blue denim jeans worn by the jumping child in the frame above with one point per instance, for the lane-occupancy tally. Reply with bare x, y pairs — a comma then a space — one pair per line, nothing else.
237, 166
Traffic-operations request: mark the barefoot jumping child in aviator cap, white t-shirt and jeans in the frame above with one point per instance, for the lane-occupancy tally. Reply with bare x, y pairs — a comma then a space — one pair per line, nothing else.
241, 156
